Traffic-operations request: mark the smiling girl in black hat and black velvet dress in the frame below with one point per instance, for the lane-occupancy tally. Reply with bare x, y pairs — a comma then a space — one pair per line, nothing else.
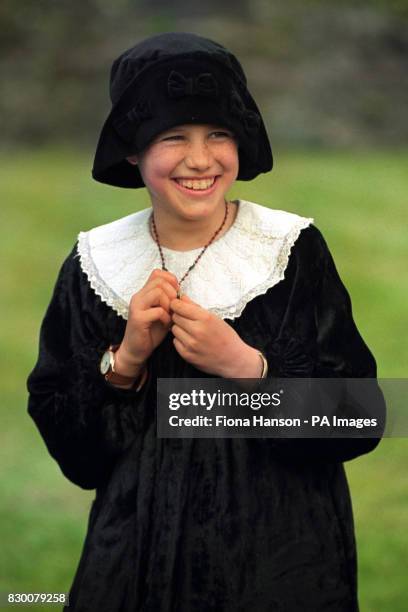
196, 286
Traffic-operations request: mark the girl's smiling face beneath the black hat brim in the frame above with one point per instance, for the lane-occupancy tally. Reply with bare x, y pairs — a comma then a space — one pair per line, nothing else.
189, 169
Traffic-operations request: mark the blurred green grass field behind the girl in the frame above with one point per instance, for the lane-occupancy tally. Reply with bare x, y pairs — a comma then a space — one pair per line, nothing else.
357, 199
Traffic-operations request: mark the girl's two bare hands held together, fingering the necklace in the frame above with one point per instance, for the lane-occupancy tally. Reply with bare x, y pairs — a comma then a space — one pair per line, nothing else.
200, 337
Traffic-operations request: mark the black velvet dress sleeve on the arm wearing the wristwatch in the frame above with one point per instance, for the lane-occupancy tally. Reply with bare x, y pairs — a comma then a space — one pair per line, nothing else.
86, 423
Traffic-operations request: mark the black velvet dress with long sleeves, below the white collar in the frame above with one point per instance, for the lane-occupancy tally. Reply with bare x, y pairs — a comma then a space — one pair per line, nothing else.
200, 525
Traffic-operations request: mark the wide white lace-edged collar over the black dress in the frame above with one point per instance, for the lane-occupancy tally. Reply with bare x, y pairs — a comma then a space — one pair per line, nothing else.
245, 262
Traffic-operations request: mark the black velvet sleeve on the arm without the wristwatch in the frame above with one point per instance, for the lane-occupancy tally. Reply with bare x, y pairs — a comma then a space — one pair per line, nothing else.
337, 351
